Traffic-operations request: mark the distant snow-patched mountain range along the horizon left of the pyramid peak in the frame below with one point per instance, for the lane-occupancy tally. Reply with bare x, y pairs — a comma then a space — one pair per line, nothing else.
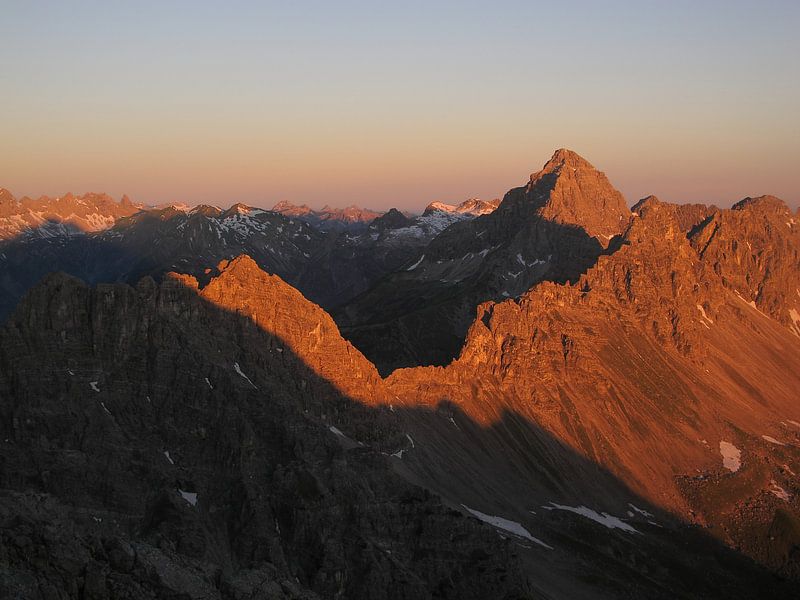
331, 255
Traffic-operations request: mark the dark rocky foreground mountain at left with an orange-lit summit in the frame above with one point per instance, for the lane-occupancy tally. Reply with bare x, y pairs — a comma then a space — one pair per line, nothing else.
165, 441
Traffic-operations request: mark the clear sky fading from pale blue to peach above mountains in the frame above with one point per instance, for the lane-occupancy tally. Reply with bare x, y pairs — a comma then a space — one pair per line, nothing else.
397, 104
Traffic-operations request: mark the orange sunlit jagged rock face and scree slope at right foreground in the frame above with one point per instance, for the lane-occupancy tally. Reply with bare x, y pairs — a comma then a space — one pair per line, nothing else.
649, 366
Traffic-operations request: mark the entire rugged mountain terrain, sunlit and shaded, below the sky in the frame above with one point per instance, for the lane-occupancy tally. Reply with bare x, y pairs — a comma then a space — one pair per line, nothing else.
552, 396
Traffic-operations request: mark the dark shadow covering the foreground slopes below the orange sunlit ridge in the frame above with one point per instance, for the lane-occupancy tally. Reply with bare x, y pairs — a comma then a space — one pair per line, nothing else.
157, 444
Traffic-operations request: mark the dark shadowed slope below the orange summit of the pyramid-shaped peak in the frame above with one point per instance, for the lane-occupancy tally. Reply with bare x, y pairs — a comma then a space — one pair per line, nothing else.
406, 320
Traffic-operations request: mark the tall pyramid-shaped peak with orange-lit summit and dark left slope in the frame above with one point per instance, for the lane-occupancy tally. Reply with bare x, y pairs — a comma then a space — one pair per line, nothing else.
553, 228
